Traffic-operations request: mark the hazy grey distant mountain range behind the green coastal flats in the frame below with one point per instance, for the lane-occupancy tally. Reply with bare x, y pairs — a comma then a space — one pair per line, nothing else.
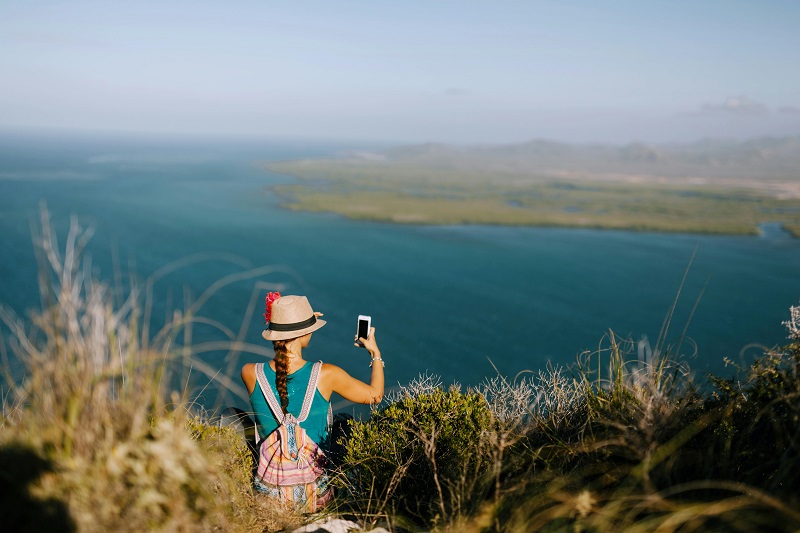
761, 158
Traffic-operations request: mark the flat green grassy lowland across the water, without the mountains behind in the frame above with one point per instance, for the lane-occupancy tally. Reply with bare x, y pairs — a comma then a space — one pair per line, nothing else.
409, 193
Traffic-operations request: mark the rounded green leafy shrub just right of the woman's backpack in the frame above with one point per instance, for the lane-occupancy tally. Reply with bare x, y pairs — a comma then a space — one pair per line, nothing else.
424, 456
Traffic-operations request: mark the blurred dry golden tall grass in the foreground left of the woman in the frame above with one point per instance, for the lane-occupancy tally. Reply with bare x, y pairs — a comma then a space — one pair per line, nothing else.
92, 437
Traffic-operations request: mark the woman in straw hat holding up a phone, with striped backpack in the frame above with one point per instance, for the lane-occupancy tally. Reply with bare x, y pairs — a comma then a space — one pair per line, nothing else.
289, 391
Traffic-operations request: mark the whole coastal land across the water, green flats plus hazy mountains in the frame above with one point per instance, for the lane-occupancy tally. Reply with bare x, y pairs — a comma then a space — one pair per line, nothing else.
713, 187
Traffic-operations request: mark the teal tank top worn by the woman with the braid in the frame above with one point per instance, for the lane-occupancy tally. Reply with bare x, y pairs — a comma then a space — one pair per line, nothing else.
316, 425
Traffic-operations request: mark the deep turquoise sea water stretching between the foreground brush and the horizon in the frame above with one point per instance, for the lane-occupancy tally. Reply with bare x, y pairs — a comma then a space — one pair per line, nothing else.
451, 301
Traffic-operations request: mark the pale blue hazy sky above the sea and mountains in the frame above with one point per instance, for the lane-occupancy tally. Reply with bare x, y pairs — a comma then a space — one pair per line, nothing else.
410, 70
